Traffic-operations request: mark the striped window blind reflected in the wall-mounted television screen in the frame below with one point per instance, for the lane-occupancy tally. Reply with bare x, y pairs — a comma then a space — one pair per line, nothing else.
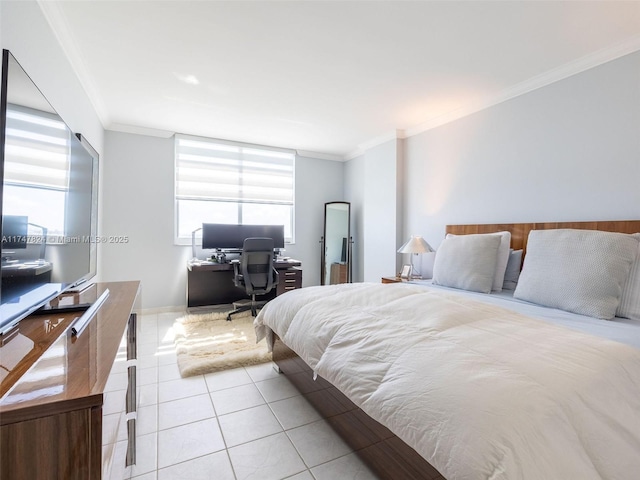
36, 150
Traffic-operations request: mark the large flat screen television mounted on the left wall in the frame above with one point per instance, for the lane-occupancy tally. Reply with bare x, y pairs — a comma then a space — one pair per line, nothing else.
50, 188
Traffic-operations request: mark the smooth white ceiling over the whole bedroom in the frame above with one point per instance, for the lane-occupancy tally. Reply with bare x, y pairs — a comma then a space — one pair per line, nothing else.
331, 77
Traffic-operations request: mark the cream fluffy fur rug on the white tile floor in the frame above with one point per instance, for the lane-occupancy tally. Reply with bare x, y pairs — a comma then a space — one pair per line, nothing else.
207, 343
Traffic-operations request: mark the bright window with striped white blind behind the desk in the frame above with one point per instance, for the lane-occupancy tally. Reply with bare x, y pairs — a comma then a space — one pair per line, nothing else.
226, 182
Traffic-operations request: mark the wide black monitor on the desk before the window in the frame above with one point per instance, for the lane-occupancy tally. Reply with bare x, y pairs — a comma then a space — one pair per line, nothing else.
231, 236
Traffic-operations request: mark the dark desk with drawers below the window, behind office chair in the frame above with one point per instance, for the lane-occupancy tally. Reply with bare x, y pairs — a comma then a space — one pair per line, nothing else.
210, 283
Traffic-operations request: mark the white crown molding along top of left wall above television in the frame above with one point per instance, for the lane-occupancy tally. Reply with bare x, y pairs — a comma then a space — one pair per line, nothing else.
60, 28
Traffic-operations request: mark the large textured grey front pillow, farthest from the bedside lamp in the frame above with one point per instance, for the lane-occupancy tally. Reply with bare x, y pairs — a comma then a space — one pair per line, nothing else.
580, 271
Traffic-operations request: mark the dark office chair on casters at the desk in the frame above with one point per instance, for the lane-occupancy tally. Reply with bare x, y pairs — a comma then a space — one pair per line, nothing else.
254, 272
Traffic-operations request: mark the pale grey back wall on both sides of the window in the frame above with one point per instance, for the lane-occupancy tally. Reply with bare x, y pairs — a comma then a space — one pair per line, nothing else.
138, 202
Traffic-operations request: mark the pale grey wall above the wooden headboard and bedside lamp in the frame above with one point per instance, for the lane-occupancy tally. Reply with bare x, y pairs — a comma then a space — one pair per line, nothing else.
568, 151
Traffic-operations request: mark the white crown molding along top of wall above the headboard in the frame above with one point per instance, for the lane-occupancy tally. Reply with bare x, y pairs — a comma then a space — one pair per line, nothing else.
580, 65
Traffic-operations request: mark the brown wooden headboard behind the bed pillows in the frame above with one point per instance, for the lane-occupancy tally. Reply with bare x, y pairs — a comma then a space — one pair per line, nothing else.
520, 231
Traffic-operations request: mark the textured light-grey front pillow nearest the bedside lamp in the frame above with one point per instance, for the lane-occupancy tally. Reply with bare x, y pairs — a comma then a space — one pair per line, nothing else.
467, 262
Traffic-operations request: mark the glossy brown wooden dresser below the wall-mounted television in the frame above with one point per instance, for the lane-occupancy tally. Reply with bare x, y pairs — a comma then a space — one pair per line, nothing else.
53, 387
